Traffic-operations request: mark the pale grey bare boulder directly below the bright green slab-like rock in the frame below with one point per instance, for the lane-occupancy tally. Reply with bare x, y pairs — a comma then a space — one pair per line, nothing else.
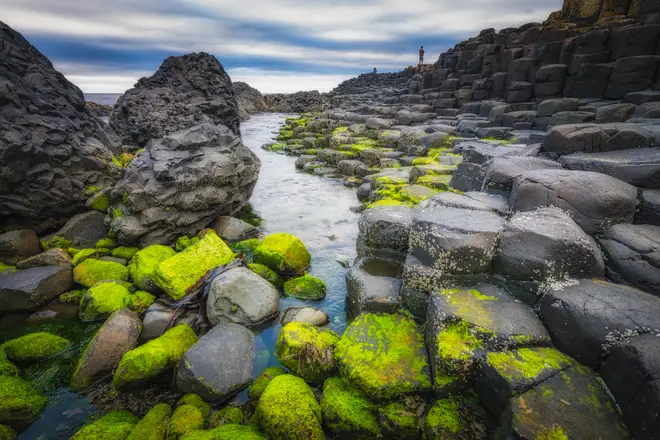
243, 297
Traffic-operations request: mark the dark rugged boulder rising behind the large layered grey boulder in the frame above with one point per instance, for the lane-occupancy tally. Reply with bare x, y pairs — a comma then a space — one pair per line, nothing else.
185, 91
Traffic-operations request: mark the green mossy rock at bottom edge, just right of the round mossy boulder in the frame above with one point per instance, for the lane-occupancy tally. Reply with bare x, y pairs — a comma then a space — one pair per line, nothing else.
347, 412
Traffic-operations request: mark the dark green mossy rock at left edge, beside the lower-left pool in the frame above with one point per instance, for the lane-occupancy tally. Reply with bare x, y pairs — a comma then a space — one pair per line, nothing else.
20, 402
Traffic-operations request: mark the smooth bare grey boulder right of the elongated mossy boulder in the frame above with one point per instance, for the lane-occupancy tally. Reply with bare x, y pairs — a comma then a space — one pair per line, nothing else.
219, 364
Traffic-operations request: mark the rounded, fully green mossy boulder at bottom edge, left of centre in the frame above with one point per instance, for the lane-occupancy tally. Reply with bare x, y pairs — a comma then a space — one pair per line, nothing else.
288, 410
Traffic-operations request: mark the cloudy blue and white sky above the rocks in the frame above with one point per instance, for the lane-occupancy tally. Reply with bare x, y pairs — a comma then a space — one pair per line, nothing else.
276, 46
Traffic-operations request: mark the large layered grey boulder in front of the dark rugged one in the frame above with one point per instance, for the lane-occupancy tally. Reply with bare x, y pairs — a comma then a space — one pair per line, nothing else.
181, 183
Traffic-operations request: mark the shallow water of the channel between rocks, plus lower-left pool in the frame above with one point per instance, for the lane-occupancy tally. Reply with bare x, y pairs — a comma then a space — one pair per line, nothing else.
315, 209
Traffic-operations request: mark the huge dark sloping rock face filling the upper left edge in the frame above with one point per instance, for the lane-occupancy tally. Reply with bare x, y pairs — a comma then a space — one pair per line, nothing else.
53, 151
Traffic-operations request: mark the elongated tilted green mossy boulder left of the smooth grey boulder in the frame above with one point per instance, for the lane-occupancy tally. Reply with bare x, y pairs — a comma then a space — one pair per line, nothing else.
153, 358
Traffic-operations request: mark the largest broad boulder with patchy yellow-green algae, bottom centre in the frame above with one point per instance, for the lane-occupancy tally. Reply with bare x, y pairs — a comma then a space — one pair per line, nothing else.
384, 356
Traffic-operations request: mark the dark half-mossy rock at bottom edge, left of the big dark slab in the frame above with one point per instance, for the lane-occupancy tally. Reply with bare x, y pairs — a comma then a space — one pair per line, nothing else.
458, 417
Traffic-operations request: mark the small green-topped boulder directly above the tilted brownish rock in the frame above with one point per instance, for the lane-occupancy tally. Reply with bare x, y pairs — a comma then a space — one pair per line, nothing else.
103, 299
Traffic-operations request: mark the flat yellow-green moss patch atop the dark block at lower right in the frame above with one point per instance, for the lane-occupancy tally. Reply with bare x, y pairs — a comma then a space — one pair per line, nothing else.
528, 363
